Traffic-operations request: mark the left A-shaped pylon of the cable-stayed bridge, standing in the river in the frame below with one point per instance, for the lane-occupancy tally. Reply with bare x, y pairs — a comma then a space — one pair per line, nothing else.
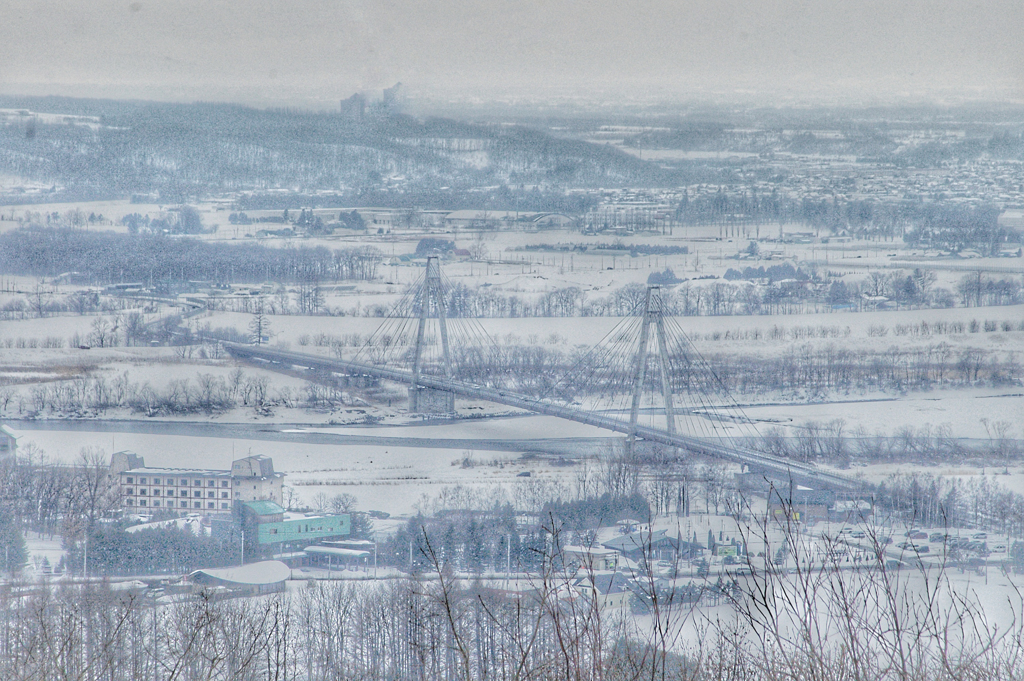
421, 399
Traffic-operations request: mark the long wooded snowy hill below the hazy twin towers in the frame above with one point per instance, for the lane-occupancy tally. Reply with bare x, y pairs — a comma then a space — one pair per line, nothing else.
190, 150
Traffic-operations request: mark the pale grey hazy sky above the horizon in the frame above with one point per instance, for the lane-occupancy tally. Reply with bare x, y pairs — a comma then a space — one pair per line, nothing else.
261, 51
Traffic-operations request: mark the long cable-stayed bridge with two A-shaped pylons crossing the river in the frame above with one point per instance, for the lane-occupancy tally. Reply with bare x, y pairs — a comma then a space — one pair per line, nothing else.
644, 379
